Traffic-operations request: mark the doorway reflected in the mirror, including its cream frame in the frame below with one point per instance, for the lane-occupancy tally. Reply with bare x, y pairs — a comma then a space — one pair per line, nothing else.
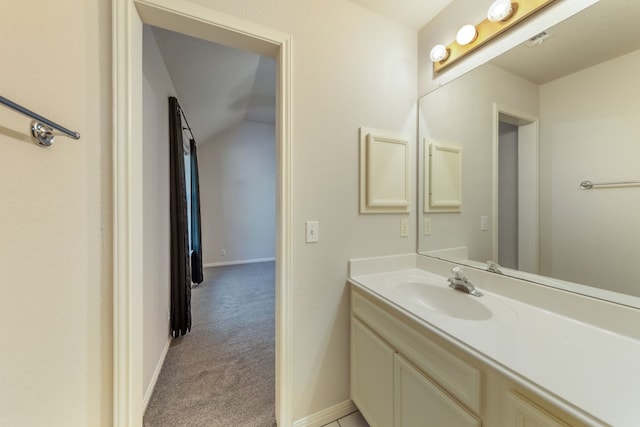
515, 239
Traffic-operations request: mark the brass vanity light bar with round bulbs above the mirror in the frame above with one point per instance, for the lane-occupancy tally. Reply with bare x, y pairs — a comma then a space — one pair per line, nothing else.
502, 15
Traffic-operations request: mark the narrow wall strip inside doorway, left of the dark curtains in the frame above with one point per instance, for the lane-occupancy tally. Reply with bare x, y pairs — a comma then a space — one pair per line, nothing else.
157, 87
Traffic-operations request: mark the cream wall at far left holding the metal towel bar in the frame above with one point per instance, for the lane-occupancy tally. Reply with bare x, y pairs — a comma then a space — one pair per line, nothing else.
55, 216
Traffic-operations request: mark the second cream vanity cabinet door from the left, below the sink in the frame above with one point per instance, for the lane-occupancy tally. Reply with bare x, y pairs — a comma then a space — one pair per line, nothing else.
420, 403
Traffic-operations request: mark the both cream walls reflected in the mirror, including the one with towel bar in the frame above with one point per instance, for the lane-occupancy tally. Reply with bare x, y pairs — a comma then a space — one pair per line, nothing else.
589, 123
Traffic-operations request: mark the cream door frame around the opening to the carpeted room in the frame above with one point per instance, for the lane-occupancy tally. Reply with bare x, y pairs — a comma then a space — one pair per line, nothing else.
198, 21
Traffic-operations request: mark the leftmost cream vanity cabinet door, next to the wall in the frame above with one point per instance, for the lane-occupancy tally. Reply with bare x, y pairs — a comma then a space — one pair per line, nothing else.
371, 375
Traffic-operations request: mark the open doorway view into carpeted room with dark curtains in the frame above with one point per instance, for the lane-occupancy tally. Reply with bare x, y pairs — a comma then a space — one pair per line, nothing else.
227, 99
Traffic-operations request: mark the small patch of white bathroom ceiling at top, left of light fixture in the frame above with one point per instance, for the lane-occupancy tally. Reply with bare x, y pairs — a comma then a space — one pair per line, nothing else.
413, 13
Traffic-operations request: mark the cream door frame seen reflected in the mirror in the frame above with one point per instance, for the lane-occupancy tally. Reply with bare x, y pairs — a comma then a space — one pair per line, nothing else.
528, 184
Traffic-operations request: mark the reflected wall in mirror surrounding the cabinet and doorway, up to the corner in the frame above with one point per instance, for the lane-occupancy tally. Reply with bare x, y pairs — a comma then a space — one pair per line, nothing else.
462, 113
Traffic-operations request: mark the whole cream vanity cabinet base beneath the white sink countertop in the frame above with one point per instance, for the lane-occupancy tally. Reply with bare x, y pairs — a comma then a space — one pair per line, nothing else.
403, 375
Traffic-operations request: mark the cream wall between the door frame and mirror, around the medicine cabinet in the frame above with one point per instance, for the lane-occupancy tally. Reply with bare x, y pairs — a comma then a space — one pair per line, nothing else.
351, 68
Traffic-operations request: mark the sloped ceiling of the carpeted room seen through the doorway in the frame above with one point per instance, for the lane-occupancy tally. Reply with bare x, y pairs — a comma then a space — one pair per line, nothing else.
217, 86
